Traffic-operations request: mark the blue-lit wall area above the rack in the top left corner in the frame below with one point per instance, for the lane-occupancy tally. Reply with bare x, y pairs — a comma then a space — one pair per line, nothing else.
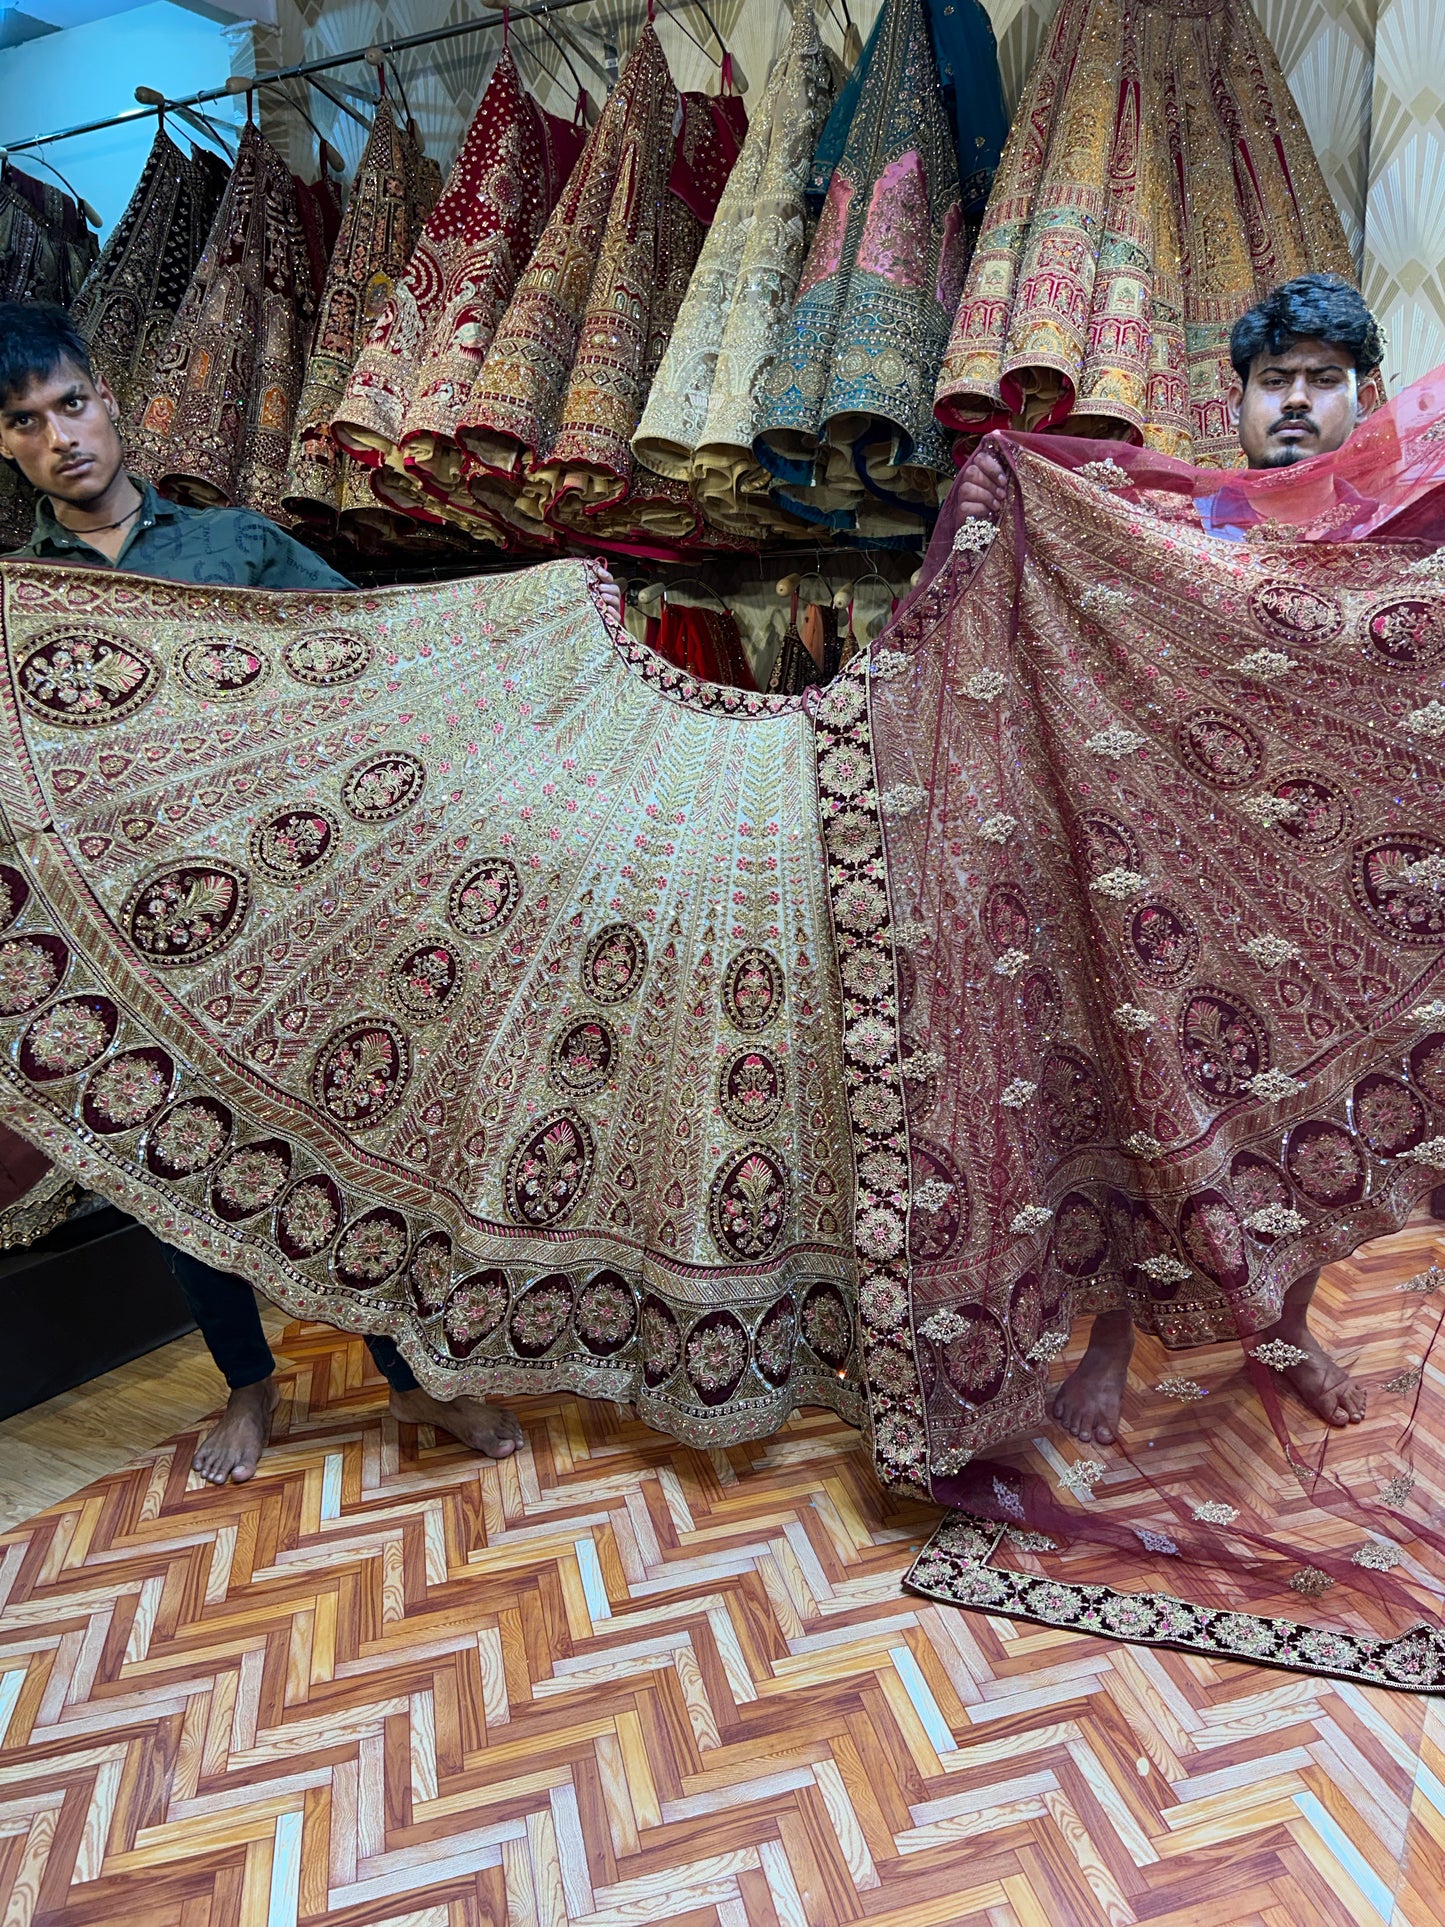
88, 72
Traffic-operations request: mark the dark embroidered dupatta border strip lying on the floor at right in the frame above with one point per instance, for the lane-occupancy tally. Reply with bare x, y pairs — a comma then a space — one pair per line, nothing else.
962, 1575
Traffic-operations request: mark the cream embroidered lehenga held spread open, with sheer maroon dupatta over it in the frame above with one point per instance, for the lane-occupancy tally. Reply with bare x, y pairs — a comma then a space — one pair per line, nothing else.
454, 968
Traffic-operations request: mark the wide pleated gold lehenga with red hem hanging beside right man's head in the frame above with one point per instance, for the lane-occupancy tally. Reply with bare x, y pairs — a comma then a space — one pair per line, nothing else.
1157, 184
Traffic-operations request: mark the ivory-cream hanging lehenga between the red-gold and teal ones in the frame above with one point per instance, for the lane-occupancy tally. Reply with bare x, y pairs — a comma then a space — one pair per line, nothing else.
698, 423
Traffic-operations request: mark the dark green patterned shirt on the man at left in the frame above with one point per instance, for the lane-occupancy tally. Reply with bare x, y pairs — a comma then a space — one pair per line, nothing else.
230, 546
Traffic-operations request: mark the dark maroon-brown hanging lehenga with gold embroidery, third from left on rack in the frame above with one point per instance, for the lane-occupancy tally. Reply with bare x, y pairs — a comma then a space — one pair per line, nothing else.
217, 427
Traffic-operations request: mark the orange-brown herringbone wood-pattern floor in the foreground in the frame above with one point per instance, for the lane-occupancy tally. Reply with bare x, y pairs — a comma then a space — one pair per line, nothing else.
617, 1683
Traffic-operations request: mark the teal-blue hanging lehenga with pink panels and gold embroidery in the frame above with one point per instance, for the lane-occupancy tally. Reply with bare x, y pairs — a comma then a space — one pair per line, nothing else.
847, 423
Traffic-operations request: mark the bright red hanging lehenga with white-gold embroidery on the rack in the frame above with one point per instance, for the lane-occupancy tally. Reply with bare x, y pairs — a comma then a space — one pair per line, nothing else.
415, 375
